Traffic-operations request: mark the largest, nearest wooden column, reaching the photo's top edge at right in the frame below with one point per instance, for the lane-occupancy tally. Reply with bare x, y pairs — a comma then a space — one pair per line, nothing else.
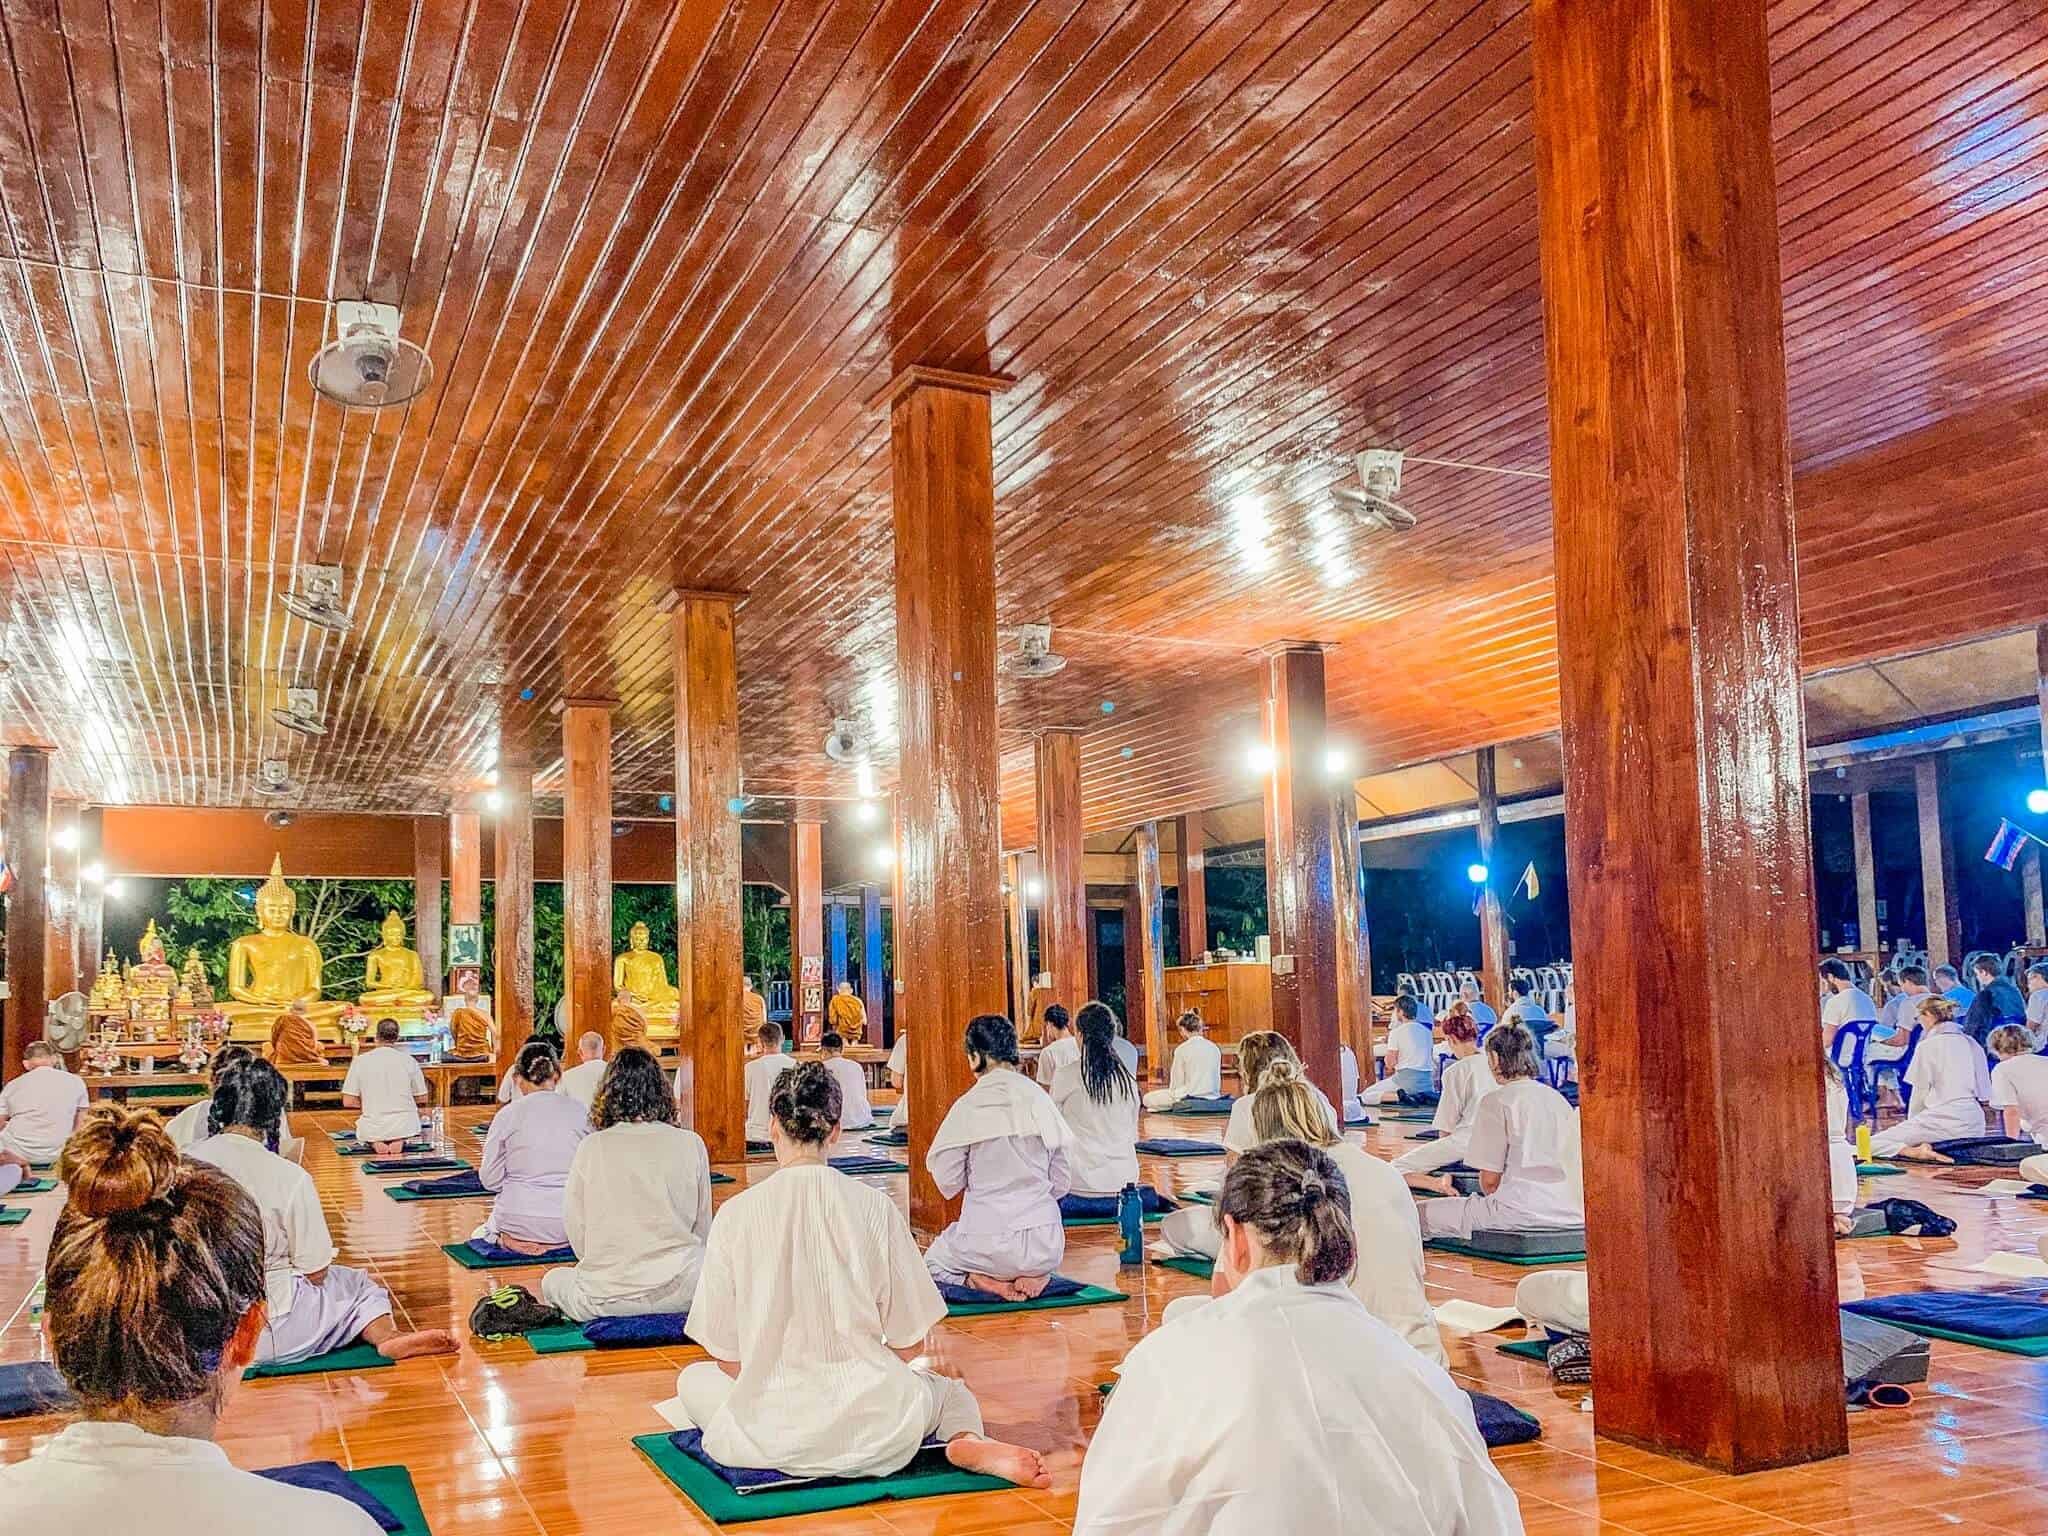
1713, 1267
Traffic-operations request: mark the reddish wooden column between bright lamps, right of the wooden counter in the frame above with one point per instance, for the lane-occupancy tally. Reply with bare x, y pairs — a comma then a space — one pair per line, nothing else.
1302, 865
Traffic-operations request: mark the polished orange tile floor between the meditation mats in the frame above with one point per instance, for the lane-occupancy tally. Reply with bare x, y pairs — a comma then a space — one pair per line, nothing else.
507, 1443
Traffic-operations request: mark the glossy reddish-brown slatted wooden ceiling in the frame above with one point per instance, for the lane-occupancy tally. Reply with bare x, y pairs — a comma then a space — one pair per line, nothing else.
667, 255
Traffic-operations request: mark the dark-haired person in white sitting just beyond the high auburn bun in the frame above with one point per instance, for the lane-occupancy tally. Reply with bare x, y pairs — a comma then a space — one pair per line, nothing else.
312, 1306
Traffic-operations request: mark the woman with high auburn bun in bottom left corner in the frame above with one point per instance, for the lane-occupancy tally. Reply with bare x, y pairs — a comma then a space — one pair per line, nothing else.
157, 1308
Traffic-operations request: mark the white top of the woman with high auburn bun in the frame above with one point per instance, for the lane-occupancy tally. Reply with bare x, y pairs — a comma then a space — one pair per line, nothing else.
116, 1480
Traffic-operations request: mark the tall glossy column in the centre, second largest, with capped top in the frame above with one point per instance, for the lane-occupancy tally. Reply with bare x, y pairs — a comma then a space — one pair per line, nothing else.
949, 927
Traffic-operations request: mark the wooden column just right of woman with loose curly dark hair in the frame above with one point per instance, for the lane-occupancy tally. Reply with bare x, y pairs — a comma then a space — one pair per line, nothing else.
710, 949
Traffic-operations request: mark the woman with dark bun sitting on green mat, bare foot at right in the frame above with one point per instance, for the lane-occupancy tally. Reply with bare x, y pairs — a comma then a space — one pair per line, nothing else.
810, 1302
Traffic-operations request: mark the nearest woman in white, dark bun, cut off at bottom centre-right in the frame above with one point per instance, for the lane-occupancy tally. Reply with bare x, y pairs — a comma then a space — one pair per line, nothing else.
1285, 1406
